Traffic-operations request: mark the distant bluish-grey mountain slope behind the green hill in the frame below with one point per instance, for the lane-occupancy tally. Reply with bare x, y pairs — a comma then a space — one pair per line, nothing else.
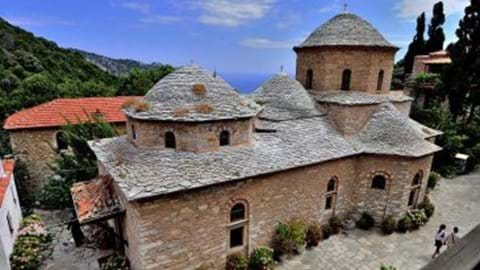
118, 67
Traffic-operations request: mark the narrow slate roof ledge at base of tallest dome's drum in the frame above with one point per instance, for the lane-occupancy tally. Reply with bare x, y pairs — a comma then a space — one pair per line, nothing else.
358, 98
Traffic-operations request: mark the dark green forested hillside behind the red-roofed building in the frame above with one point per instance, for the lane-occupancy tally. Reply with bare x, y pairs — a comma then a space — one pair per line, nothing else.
34, 70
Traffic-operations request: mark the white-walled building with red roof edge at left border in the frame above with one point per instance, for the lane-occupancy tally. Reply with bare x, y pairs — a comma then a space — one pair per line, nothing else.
10, 212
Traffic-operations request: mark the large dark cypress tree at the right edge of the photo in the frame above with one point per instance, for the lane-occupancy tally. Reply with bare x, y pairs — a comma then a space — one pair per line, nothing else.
463, 81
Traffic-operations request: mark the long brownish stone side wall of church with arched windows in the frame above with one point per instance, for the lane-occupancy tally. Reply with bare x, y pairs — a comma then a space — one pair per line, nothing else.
184, 230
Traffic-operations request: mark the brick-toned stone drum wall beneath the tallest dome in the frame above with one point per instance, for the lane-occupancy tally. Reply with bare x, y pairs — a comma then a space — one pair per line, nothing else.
328, 64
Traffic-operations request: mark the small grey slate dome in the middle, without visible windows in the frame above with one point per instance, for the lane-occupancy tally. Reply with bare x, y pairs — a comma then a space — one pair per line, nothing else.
284, 98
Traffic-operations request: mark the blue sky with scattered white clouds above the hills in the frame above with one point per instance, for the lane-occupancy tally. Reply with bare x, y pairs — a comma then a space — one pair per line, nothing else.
231, 36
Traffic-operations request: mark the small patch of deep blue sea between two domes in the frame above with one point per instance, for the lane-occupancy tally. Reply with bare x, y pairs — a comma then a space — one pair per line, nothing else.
245, 83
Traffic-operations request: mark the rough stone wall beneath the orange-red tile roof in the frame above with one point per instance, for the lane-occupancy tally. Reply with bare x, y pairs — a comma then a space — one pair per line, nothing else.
37, 149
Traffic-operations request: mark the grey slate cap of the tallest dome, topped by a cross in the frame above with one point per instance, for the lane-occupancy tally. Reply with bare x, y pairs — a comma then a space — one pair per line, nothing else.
346, 30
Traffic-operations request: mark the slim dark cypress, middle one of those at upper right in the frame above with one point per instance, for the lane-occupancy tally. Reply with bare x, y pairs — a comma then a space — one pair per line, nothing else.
435, 29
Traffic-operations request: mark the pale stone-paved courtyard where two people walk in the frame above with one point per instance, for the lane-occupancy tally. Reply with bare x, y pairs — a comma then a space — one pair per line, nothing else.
457, 203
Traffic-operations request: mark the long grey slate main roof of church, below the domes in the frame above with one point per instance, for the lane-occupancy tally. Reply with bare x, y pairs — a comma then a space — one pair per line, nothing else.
289, 144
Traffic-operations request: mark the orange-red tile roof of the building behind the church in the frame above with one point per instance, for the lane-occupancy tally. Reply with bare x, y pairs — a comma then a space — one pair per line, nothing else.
55, 112
